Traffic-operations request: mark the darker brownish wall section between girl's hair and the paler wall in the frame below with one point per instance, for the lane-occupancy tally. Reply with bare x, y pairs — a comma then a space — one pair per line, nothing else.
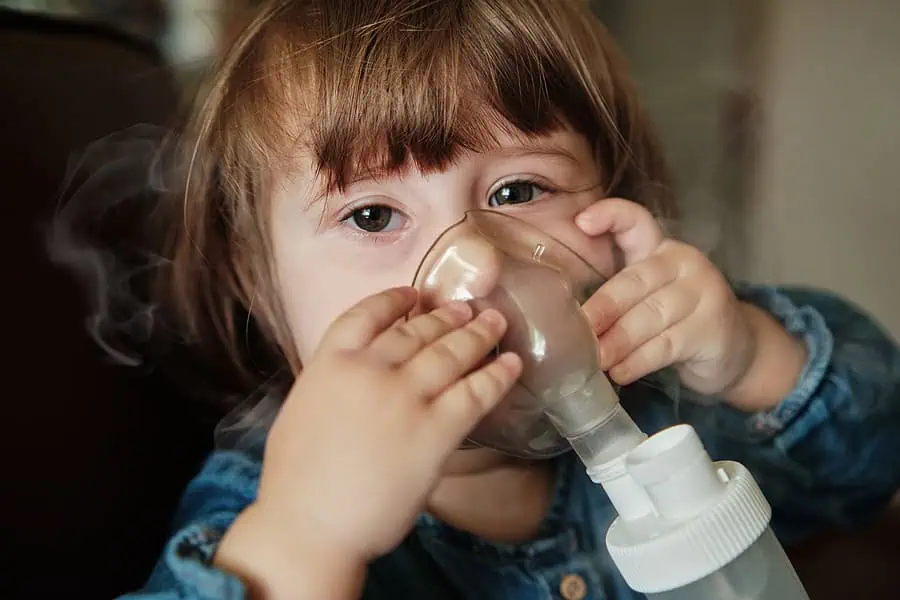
683, 56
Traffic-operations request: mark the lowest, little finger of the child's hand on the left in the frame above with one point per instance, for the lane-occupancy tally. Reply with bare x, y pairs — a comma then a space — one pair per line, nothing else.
459, 409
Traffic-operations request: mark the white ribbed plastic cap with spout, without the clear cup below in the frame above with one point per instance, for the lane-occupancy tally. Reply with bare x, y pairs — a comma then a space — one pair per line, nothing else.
707, 514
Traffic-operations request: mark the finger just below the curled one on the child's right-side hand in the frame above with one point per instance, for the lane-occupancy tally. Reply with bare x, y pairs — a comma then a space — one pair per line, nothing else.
626, 289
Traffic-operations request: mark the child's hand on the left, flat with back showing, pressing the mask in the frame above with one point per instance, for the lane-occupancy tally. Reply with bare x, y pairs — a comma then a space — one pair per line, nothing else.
371, 420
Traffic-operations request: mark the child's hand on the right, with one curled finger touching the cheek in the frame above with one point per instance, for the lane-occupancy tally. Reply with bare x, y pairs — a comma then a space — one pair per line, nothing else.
668, 306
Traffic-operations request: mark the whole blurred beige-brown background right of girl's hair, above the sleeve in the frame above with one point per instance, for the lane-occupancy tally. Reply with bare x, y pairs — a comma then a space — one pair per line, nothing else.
780, 117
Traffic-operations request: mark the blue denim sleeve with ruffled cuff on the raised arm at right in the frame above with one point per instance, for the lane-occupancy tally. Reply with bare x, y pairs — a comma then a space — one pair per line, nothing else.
829, 453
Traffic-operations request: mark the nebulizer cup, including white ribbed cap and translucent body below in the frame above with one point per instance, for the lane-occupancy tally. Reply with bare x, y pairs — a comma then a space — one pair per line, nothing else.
708, 536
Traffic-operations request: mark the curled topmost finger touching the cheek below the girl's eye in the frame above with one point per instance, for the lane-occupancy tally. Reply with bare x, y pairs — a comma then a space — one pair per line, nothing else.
633, 228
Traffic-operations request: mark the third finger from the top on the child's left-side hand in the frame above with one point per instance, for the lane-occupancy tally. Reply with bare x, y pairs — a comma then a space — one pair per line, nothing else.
442, 363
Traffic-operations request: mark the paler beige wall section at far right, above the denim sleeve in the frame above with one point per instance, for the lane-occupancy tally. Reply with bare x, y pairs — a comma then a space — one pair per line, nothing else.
826, 204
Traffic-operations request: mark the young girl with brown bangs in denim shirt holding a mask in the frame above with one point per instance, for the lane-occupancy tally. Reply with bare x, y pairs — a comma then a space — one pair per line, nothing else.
337, 140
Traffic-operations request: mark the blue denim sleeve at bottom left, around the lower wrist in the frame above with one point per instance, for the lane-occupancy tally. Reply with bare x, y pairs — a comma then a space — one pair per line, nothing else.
224, 487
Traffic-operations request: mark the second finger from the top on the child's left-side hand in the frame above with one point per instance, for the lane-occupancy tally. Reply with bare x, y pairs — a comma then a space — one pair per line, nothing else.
399, 344
